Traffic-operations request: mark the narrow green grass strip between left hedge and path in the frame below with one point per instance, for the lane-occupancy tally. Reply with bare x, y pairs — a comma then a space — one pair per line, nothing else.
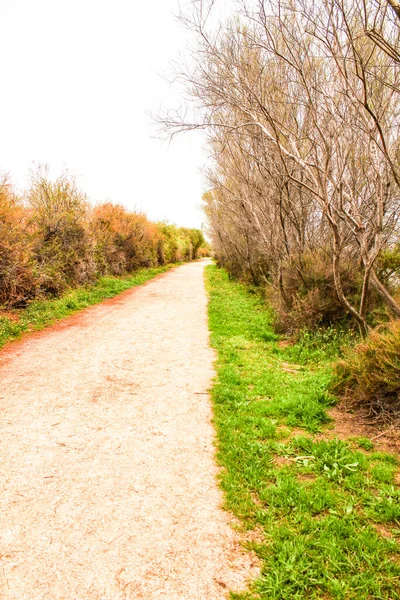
40, 314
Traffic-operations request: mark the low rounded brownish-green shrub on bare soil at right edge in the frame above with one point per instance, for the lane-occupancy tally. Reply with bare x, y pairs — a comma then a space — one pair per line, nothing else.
370, 373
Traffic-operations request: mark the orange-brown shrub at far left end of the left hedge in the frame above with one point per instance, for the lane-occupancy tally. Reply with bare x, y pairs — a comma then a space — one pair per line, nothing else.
17, 280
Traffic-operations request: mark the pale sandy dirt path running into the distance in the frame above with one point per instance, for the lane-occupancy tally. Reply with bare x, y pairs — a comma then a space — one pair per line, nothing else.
107, 473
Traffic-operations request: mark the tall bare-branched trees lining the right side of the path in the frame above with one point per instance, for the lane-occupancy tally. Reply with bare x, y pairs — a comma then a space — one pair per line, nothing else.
300, 103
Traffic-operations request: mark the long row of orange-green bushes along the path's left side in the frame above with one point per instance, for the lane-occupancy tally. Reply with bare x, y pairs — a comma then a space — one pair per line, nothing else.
52, 240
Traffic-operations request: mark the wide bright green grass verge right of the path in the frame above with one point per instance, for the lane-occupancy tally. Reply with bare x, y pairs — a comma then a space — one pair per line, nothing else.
326, 513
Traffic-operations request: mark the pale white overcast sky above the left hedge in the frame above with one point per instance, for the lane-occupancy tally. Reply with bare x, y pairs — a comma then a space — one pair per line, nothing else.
78, 79
